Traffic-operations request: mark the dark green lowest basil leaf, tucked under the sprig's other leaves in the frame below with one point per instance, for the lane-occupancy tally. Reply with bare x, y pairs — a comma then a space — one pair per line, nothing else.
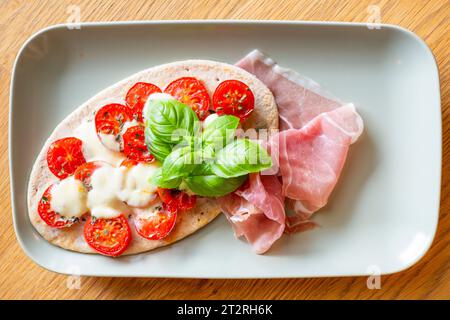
212, 185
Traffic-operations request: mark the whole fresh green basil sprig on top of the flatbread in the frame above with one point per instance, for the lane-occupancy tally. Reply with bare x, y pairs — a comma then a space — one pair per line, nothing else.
212, 164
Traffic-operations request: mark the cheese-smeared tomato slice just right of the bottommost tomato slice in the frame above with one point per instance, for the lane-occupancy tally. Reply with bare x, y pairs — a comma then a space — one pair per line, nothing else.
155, 224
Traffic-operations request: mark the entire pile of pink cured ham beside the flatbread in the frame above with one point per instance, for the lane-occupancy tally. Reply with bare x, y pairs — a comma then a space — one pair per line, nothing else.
309, 152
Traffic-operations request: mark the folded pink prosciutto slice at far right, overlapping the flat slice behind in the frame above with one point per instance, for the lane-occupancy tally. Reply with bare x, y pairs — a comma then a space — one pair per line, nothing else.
311, 159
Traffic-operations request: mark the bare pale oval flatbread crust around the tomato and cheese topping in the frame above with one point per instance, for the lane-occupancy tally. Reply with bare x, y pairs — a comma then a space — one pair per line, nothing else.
211, 73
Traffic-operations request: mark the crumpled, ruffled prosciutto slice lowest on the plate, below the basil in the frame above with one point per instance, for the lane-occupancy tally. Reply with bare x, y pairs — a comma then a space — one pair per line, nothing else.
257, 212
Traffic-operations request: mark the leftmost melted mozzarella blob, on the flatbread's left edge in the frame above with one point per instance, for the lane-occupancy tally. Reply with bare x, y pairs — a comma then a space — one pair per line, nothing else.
69, 198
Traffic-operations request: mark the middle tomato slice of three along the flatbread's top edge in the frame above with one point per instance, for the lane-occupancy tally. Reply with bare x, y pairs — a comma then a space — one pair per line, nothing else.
191, 92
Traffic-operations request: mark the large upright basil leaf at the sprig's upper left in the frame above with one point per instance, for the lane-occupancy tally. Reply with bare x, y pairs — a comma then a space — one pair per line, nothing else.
167, 122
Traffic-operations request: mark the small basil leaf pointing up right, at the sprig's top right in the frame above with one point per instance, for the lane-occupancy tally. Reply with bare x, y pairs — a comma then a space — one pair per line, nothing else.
220, 131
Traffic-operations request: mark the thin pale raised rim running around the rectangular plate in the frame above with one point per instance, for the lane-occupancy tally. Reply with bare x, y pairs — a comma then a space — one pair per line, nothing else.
200, 22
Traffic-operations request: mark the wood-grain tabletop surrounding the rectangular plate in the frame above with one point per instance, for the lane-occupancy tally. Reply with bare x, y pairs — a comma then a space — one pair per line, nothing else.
20, 278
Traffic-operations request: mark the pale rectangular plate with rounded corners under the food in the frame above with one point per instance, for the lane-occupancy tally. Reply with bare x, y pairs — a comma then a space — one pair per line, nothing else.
383, 214
